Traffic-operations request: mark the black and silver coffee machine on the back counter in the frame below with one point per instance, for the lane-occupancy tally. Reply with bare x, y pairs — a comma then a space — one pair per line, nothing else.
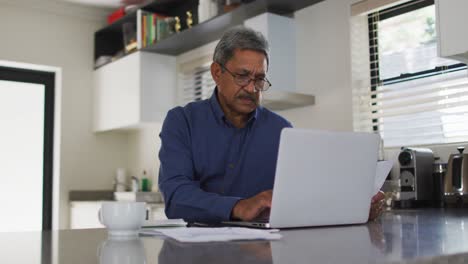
416, 181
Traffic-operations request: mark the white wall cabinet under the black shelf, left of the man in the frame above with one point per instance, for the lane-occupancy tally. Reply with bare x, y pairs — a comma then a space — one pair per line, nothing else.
137, 89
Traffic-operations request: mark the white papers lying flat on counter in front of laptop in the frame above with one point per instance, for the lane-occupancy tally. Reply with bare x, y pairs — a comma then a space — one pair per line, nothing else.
204, 234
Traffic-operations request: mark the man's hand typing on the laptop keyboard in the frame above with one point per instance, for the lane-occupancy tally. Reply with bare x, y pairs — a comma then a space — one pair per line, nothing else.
253, 207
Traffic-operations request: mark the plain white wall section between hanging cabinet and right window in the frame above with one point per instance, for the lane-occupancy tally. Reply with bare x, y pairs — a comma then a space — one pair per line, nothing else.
323, 66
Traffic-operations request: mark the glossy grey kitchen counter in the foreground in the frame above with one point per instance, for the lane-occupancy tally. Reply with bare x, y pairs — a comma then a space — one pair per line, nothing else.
401, 236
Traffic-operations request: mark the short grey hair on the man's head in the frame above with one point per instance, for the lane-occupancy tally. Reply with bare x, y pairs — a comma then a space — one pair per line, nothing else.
242, 38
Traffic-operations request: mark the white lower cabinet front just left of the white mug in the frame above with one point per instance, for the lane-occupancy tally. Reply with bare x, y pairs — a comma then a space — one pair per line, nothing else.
85, 215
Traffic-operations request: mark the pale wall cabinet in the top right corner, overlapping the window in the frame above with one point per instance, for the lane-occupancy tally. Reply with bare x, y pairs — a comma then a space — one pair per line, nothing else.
451, 21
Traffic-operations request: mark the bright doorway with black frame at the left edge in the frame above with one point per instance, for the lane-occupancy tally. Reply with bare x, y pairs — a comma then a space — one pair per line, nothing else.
26, 152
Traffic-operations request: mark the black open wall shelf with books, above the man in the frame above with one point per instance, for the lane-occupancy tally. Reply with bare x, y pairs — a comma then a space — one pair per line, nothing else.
109, 40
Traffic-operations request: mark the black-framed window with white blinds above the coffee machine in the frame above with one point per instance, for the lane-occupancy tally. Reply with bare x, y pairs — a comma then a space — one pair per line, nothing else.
412, 97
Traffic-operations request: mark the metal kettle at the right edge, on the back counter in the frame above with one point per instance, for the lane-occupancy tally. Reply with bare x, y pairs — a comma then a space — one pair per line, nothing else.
456, 180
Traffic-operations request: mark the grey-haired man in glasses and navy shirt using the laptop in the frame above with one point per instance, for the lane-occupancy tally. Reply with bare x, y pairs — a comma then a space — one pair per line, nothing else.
218, 156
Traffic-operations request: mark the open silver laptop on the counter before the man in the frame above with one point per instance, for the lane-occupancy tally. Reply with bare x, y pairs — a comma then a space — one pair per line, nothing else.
322, 178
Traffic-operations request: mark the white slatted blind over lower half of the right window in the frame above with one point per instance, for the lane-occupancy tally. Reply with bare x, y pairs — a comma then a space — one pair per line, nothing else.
417, 112
